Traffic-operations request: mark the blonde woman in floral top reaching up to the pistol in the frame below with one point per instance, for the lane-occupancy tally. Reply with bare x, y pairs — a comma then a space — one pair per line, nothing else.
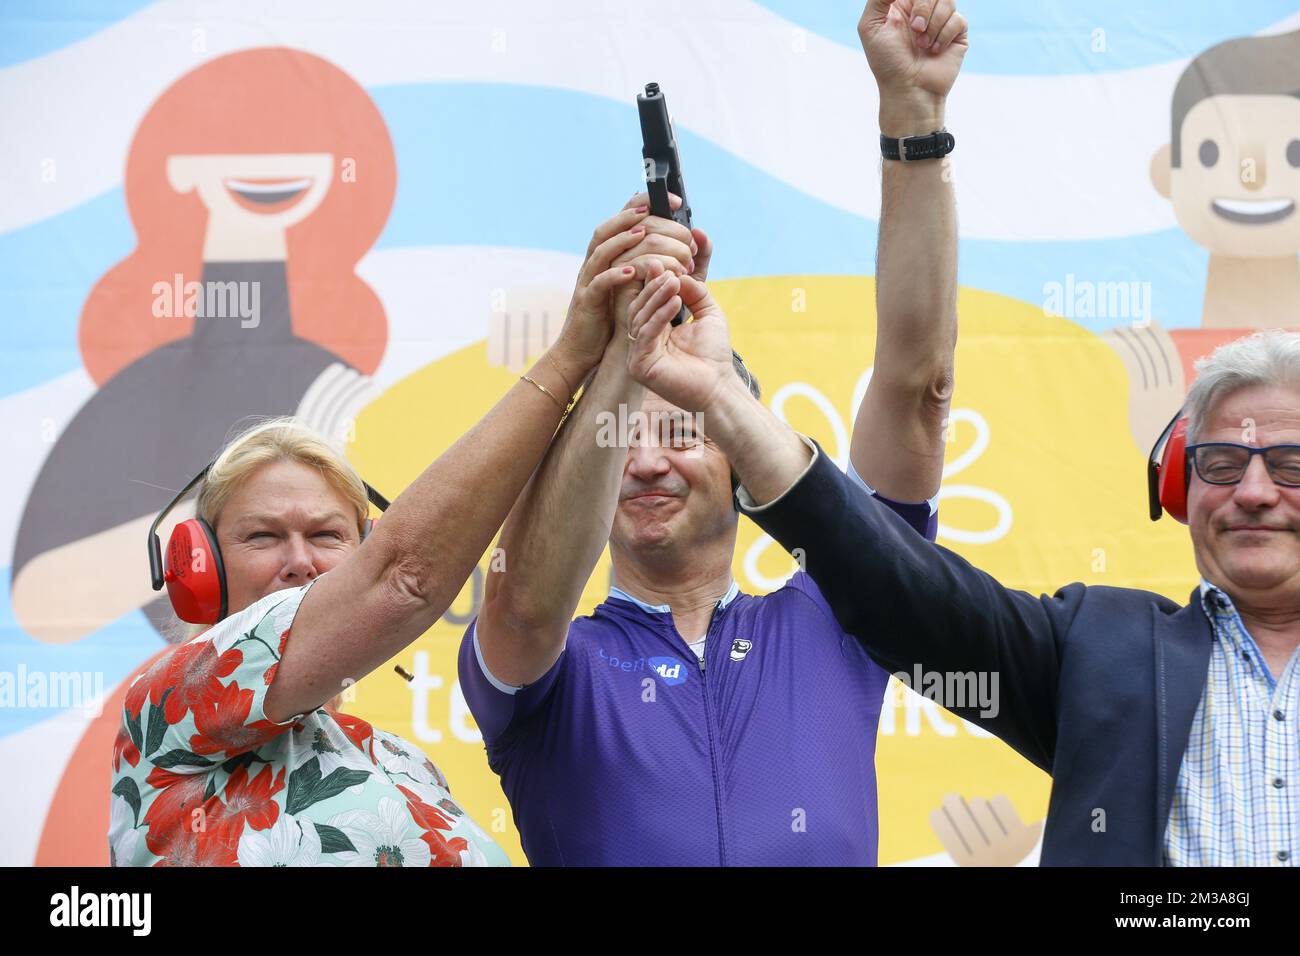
229, 754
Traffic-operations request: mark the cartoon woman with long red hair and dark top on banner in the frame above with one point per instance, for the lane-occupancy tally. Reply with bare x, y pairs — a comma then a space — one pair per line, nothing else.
255, 184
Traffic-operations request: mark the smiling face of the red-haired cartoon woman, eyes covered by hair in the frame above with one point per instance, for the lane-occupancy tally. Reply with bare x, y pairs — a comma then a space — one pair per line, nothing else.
261, 192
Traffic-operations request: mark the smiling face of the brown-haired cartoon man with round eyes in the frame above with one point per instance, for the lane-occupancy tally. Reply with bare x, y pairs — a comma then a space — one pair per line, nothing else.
1238, 184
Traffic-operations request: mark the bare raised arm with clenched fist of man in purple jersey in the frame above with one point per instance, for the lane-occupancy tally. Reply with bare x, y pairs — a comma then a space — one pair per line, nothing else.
905, 409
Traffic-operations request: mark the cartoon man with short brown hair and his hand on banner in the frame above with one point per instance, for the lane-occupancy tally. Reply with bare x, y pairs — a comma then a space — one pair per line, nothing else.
1232, 171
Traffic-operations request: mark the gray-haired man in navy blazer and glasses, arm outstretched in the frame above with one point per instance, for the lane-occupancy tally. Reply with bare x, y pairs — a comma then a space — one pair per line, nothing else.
1172, 733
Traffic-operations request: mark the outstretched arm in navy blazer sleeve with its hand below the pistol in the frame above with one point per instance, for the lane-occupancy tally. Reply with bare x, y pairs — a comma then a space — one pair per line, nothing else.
907, 600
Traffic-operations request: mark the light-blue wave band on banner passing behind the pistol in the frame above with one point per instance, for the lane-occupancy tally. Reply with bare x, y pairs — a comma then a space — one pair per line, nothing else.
509, 183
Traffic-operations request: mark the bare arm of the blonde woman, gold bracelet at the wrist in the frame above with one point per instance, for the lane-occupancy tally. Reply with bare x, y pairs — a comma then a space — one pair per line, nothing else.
410, 569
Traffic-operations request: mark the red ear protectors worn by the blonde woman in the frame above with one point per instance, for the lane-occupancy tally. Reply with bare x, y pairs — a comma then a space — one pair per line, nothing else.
194, 573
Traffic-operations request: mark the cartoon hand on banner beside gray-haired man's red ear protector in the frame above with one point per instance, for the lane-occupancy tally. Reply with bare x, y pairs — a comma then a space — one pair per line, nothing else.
1156, 386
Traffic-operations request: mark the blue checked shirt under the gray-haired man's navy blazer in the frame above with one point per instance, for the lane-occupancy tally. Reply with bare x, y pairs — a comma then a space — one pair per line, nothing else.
1237, 802
